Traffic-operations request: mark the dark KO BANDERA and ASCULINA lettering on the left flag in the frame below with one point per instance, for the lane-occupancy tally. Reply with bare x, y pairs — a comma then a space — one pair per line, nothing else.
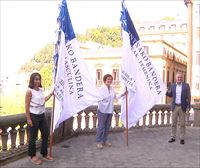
73, 72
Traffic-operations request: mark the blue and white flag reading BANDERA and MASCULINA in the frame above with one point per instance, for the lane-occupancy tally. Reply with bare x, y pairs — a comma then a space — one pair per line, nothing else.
74, 87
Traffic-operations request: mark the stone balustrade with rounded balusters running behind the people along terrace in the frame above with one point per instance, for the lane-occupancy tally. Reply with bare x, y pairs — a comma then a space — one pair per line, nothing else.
14, 133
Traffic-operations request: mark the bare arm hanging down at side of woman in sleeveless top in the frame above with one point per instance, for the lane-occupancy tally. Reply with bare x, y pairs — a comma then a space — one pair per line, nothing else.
27, 107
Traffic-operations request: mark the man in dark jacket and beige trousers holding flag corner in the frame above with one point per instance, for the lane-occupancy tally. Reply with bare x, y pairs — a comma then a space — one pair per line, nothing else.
181, 98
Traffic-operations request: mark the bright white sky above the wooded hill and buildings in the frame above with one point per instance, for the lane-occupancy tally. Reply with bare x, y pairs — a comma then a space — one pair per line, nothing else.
27, 26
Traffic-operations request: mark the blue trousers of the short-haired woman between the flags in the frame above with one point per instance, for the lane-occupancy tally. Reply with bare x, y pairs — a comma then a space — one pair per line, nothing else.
104, 123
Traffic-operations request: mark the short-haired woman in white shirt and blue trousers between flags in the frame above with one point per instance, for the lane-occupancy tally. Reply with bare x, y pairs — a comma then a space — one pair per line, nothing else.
105, 110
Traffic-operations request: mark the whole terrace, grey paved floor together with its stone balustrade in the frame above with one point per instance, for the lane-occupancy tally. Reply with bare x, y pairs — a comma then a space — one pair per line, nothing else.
74, 141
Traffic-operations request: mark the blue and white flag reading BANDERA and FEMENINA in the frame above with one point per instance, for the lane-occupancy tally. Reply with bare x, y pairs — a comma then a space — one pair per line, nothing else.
144, 85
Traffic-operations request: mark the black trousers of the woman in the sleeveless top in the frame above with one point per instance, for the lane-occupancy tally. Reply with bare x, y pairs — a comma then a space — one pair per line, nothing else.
39, 123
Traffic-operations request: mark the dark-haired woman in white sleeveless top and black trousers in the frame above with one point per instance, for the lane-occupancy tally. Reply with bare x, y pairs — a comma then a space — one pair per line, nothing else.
35, 109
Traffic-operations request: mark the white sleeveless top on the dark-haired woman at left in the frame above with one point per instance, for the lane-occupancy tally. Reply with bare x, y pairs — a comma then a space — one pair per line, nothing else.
37, 101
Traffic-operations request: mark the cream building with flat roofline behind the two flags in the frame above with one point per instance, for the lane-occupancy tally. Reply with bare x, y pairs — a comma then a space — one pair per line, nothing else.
166, 59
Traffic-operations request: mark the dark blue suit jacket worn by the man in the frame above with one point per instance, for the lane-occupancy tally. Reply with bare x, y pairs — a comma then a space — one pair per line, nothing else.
185, 96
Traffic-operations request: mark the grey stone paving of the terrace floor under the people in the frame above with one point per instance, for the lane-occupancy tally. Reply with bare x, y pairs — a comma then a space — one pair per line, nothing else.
148, 148
